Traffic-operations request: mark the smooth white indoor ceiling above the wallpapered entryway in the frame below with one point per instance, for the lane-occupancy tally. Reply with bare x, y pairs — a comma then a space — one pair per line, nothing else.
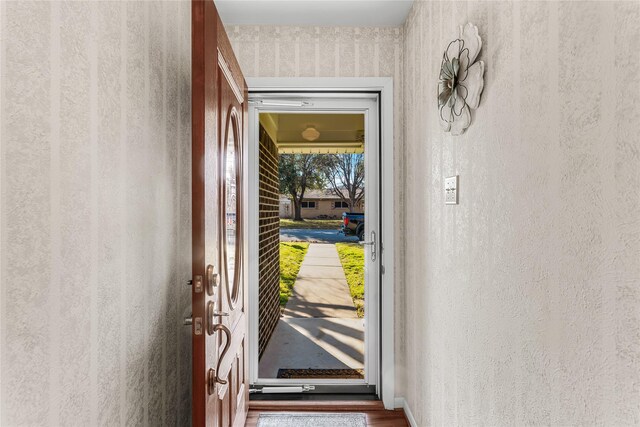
361, 13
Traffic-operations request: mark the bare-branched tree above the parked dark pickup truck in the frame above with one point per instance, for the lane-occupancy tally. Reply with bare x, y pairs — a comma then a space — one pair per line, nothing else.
345, 174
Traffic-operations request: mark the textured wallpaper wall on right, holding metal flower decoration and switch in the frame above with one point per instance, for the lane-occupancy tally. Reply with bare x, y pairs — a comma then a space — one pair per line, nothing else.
522, 303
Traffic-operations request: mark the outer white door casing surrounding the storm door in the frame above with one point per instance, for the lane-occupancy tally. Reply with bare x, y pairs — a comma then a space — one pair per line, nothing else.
384, 86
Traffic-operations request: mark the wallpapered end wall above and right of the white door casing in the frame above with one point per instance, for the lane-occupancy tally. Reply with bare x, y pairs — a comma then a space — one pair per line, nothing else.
288, 51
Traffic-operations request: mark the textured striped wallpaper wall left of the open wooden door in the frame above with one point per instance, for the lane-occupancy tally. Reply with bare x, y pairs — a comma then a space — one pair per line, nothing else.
95, 218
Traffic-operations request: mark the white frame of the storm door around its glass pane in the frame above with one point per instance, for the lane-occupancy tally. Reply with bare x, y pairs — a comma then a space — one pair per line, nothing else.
366, 104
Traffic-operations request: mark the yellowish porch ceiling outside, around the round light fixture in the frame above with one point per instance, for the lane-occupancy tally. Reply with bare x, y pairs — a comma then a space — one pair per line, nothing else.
339, 133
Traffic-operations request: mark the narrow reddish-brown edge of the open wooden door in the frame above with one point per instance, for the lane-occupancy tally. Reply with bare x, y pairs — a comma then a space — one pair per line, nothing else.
204, 187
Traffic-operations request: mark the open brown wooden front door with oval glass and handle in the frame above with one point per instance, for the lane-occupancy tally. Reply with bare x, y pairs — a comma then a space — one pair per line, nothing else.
219, 323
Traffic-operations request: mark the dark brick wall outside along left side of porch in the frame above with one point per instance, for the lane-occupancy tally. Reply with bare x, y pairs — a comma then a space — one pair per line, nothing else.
269, 236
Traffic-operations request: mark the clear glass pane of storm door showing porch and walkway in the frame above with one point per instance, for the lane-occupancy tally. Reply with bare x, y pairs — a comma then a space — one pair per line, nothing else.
316, 330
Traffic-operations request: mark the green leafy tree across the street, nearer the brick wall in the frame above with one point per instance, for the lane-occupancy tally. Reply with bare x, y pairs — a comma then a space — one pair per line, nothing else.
298, 173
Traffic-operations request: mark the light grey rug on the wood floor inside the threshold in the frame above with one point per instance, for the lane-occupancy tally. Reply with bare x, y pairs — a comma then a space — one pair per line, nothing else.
312, 420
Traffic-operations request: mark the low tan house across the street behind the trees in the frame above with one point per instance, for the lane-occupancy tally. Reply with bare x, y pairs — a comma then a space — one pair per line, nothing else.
319, 204
